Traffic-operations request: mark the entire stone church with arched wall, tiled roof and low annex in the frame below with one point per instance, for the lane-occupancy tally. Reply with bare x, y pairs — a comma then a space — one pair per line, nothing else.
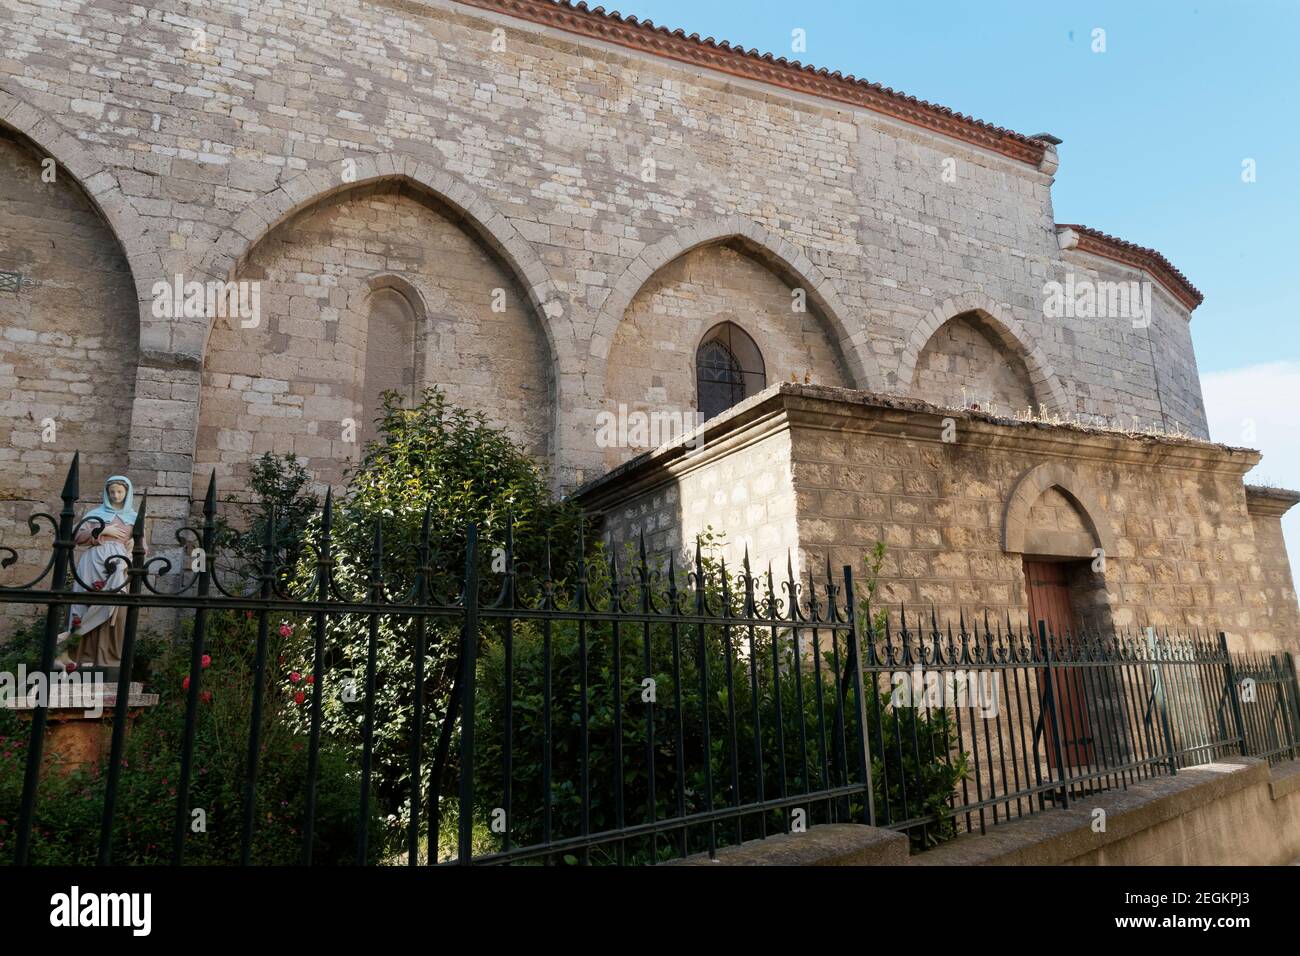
564, 217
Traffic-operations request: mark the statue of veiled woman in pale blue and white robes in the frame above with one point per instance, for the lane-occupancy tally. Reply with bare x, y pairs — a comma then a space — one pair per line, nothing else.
96, 633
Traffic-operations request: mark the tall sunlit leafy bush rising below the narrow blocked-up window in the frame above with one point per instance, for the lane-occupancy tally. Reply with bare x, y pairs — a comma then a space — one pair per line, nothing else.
450, 462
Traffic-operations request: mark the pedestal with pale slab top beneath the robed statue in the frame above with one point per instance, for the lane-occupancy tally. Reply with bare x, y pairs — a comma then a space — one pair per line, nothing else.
80, 724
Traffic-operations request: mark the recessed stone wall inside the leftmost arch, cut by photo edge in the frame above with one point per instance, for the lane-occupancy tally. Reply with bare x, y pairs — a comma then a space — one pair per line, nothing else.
68, 335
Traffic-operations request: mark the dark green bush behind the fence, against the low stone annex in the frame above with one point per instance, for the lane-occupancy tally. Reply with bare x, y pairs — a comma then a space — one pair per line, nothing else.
830, 747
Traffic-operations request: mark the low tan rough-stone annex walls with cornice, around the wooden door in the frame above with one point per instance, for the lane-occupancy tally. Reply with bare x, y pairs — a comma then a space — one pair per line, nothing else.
1171, 517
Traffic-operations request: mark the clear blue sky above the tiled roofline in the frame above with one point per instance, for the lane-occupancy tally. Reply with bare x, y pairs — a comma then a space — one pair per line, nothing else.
1156, 131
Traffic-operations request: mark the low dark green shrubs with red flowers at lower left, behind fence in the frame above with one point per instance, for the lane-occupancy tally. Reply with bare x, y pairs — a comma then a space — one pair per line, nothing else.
68, 811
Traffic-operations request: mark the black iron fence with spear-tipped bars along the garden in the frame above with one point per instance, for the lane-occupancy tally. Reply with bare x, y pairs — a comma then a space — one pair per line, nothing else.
596, 713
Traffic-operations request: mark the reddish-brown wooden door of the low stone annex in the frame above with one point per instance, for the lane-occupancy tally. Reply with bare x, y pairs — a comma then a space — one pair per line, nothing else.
1050, 602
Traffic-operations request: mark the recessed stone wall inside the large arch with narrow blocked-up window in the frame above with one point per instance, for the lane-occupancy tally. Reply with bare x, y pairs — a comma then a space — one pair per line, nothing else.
289, 386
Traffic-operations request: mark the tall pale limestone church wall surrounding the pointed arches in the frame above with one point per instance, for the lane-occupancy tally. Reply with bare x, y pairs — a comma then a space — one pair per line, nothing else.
583, 167
